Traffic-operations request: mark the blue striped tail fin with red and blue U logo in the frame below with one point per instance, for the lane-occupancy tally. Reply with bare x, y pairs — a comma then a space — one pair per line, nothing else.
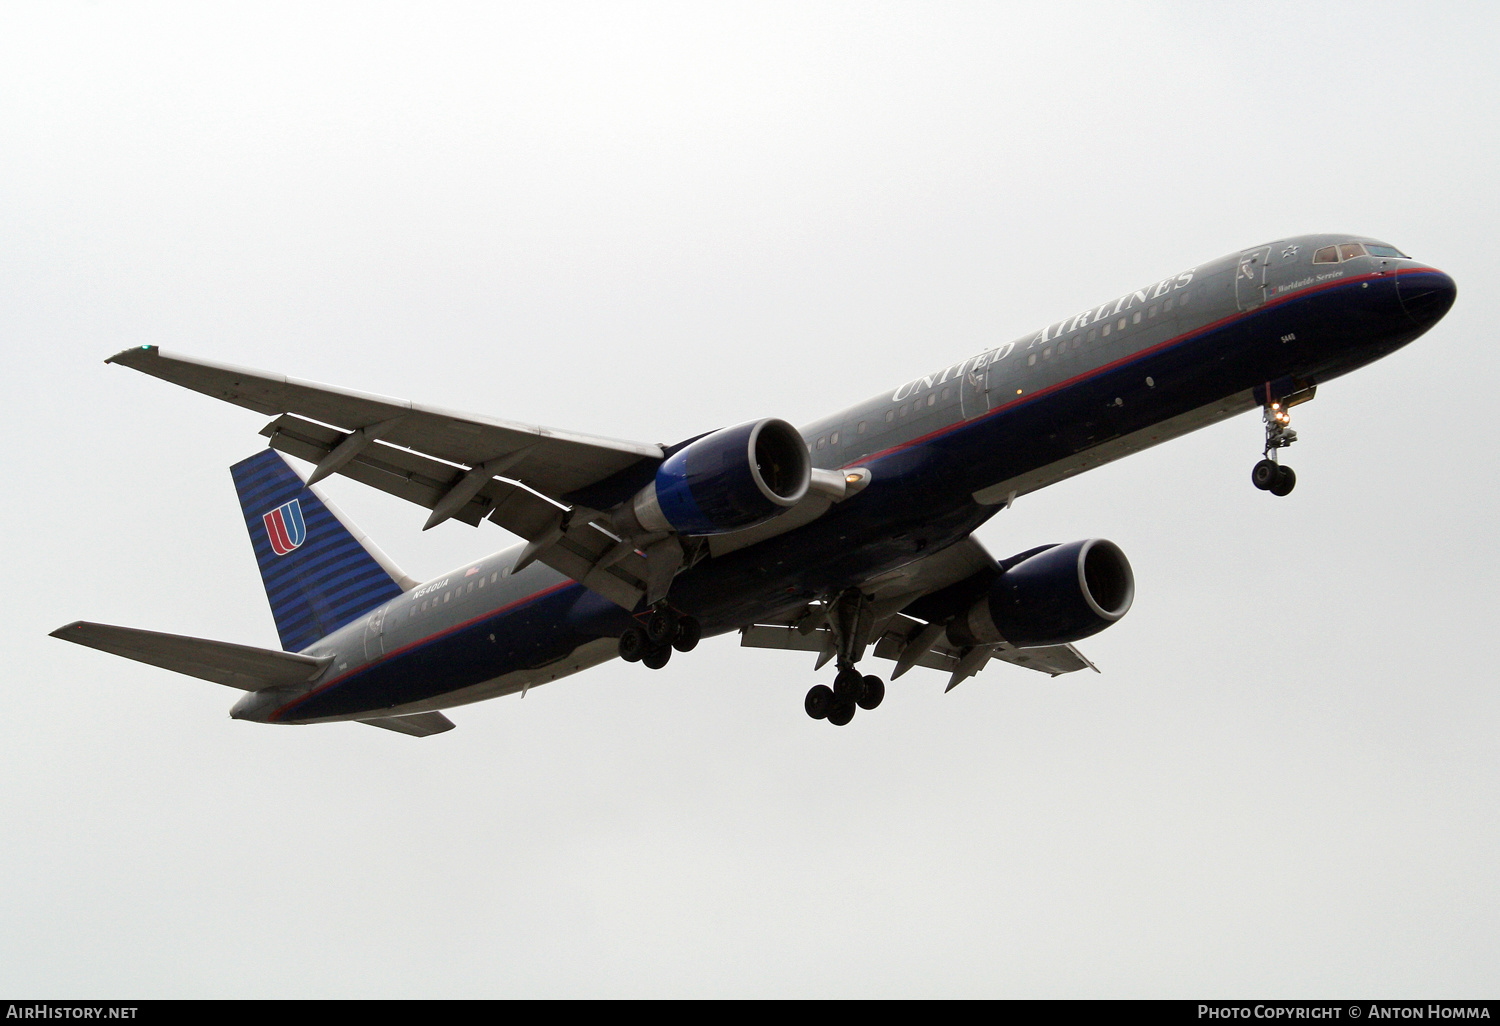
320, 572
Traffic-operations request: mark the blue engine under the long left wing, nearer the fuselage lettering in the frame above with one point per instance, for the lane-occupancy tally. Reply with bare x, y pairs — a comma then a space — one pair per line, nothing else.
728, 481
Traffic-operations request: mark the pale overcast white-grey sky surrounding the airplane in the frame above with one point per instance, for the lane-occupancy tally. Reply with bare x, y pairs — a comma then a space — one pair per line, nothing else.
652, 221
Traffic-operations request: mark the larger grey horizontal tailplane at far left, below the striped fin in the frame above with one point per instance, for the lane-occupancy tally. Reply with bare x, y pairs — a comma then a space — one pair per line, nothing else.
242, 667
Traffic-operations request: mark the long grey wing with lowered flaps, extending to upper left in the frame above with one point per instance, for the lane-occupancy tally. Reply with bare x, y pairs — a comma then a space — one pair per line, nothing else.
535, 482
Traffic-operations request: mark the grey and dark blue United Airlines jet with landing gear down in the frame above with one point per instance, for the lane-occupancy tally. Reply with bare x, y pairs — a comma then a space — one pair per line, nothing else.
850, 538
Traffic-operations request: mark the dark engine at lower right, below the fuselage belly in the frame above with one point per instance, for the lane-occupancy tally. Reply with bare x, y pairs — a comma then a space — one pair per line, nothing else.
1061, 595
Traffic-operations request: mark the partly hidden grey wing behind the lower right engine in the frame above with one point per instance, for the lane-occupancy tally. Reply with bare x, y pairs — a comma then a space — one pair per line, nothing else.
905, 640
